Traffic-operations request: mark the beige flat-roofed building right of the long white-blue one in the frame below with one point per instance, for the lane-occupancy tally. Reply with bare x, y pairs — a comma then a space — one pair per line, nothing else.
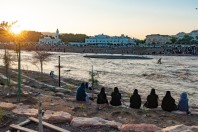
158, 39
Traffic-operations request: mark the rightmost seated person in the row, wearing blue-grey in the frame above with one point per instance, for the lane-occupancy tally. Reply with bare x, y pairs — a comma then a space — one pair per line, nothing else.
183, 103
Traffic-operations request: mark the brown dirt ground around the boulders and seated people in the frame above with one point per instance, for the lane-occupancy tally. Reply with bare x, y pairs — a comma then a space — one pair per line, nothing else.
121, 114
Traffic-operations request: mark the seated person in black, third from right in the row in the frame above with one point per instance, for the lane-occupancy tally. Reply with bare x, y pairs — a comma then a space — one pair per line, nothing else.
152, 100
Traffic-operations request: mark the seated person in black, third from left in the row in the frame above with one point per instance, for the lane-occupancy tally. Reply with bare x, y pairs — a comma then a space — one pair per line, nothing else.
115, 97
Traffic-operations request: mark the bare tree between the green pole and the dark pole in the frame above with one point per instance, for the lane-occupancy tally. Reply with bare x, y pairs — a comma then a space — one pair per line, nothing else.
41, 57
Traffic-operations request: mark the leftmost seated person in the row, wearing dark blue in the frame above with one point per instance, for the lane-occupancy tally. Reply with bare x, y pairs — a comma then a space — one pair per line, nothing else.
81, 94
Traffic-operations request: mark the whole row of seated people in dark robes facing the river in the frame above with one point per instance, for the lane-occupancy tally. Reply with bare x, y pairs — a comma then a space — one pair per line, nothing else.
168, 102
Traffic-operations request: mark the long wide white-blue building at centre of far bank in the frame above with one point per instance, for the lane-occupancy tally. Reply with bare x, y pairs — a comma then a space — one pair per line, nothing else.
104, 40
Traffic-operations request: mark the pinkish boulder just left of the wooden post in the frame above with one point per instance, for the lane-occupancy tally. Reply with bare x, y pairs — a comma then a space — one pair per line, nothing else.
25, 110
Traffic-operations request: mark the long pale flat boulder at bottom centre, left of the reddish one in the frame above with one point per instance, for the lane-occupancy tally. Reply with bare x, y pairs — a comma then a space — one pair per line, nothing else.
95, 121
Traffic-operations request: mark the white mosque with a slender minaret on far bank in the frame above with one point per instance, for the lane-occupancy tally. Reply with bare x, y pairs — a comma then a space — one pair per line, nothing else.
51, 41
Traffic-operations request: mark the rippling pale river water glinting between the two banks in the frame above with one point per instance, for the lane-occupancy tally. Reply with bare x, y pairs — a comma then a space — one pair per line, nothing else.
176, 73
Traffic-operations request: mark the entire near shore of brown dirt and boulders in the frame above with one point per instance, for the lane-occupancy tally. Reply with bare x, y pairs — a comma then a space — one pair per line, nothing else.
62, 109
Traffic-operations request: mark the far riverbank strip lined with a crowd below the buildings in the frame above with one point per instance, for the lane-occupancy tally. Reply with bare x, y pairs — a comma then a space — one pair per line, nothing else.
166, 50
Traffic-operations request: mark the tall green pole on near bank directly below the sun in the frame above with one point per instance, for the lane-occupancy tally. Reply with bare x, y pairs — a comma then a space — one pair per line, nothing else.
19, 72
